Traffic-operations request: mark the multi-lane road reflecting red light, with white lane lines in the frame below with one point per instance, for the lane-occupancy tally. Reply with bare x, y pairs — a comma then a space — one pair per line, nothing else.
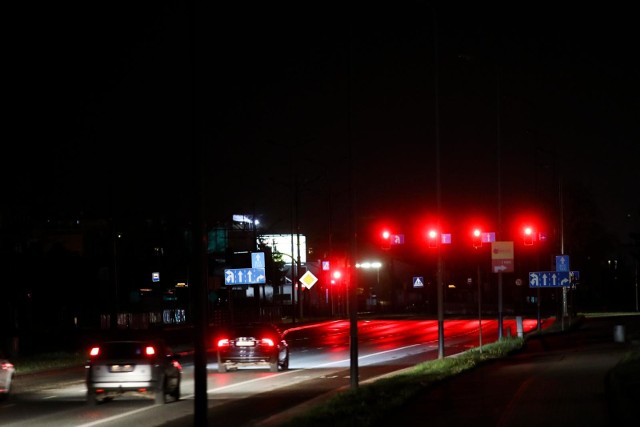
319, 365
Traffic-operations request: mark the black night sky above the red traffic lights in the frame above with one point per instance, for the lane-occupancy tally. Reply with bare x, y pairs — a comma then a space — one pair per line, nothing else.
103, 110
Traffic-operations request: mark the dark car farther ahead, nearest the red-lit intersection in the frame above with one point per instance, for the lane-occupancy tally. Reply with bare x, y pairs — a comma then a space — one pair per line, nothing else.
251, 344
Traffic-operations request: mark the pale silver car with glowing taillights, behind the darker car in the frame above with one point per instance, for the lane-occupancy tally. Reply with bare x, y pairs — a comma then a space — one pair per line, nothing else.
142, 367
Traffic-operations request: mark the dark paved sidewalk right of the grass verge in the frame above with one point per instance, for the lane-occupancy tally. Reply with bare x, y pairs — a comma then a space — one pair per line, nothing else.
559, 379
